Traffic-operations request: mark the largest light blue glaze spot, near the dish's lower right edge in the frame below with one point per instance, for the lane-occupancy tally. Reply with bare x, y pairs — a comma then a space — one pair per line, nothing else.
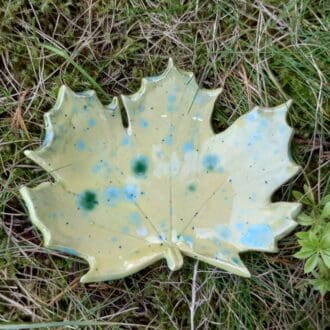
258, 236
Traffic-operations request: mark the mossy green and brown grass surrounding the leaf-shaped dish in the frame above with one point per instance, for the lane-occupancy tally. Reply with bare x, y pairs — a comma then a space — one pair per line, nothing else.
260, 52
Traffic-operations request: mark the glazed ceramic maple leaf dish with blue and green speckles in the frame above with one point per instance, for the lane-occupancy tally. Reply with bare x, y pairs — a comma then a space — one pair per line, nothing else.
166, 185
